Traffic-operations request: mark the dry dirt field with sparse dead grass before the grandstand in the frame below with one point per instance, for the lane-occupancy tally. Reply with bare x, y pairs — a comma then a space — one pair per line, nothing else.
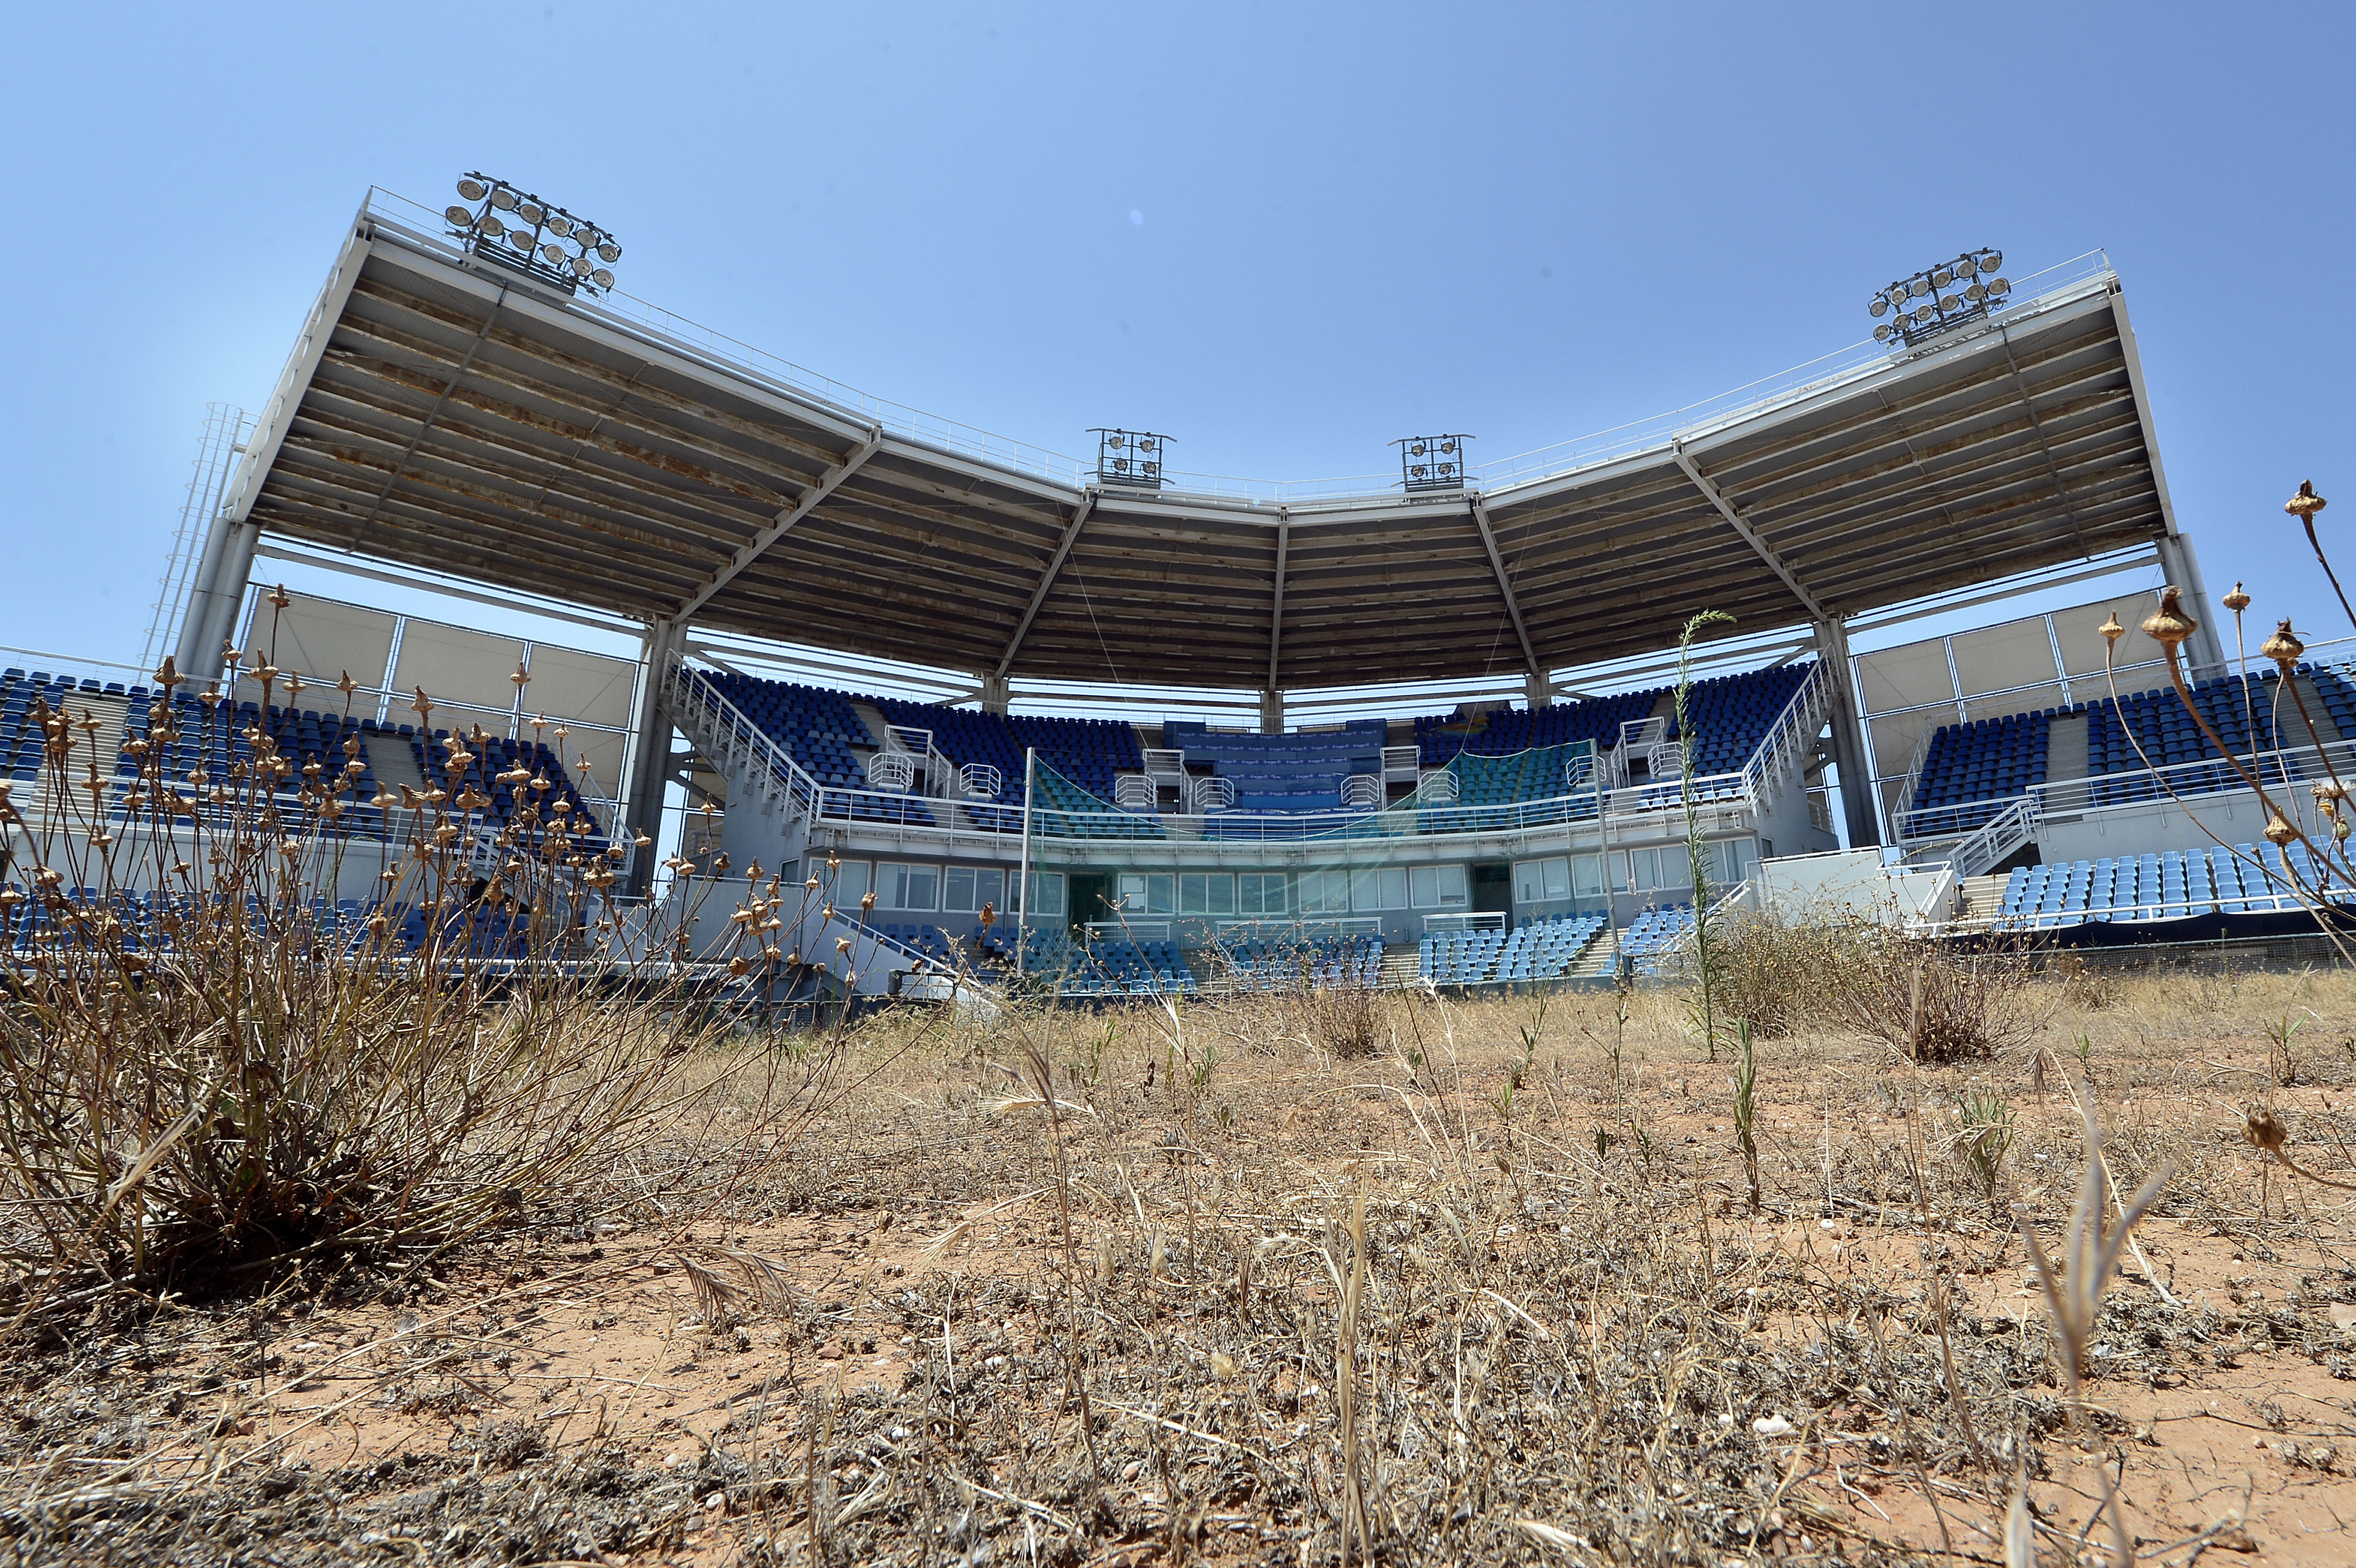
1144, 1324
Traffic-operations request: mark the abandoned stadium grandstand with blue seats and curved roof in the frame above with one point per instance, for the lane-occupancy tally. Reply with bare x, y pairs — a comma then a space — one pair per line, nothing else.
1132, 731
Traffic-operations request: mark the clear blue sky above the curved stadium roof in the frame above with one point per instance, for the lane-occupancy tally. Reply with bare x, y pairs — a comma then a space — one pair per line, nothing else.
1285, 234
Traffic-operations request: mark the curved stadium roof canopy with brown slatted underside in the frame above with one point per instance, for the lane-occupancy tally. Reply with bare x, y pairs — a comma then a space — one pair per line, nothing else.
449, 416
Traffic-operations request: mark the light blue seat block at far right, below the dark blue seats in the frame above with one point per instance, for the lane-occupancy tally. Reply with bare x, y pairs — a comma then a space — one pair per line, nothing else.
2171, 886
